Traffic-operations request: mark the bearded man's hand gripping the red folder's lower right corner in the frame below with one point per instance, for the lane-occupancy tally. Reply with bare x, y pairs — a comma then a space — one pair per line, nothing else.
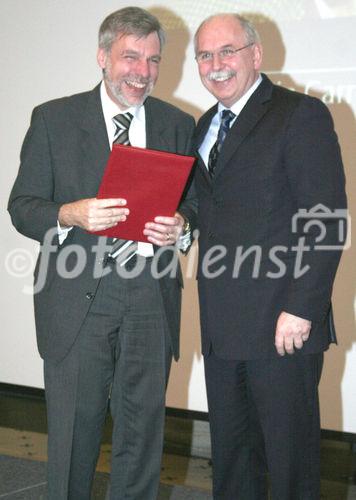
164, 230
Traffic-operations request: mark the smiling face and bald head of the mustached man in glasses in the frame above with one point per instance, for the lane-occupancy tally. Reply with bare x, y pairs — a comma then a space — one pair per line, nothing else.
227, 78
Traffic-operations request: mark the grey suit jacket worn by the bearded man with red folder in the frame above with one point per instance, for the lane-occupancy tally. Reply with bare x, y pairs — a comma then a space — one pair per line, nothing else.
62, 160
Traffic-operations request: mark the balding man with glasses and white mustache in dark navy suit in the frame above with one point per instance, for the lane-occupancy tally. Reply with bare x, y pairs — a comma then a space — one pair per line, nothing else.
265, 154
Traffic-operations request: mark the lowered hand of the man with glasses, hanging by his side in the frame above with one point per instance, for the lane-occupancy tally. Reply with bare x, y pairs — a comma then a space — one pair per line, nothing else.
291, 331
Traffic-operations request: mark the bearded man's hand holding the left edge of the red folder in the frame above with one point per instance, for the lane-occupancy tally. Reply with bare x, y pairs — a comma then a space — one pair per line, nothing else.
93, 214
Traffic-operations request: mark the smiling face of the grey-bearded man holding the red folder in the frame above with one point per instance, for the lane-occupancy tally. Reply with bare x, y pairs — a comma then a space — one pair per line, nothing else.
130, 69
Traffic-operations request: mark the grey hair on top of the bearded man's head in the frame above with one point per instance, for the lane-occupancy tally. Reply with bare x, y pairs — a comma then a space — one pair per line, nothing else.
129, 21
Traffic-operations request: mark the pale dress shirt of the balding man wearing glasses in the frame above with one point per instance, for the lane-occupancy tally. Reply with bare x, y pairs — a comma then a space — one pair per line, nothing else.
212, 133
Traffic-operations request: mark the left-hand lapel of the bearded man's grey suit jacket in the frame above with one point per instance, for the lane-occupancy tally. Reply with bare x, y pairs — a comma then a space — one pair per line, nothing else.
95, 143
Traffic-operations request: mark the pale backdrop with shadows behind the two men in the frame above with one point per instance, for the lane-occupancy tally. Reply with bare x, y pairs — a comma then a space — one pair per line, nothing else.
49, 50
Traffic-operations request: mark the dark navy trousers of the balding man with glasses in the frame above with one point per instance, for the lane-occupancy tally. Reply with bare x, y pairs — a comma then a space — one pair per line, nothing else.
264, 417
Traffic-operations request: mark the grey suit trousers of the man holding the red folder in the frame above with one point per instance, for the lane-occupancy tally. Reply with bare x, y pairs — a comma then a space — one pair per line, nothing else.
122, 354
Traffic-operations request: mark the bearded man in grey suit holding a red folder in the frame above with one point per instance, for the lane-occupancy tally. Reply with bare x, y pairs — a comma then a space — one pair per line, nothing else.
104, 335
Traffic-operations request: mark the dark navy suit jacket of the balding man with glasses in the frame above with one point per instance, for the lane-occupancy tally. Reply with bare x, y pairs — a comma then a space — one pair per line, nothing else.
281, 155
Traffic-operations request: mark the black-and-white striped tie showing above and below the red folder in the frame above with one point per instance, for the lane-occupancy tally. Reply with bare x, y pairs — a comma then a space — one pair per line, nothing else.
123, 250
